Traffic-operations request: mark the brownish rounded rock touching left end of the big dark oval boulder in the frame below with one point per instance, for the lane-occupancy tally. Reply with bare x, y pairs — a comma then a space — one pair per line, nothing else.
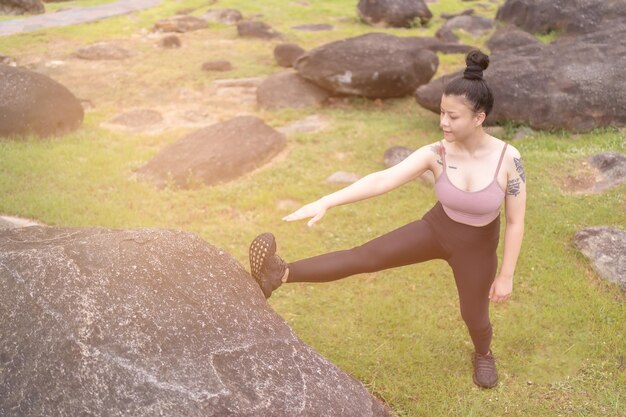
289, 90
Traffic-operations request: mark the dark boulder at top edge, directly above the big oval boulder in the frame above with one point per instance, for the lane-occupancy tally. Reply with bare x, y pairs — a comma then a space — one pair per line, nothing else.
393, 13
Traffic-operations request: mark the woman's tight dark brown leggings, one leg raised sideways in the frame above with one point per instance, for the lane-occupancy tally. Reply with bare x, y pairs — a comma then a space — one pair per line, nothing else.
469, 250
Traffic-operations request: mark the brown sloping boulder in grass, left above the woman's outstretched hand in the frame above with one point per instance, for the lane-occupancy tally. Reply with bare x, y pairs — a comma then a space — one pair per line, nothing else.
215, 154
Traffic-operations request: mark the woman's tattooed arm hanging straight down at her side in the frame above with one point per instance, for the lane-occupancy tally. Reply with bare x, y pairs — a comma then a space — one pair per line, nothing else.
515, 209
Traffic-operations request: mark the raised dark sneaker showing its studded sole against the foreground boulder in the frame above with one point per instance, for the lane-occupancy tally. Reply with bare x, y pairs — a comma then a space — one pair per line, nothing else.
266, 267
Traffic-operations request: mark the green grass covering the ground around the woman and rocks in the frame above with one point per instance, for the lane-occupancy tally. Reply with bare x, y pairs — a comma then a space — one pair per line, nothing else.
560, 341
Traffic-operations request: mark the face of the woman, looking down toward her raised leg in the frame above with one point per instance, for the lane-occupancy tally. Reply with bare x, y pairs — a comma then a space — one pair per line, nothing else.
457, 120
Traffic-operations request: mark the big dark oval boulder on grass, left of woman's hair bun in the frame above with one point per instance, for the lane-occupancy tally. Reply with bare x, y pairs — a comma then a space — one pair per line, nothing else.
374, 65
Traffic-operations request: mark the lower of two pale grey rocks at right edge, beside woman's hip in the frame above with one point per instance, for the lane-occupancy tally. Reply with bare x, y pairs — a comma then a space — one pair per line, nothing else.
606, 248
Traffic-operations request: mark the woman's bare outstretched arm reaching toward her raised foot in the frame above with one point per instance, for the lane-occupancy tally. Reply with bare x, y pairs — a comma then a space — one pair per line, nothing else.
371, 185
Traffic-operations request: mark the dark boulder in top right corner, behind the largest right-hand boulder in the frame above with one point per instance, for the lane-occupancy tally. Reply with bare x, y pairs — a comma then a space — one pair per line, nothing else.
568, 16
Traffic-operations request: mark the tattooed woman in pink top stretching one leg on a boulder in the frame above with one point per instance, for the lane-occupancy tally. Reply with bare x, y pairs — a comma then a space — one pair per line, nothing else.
475, 173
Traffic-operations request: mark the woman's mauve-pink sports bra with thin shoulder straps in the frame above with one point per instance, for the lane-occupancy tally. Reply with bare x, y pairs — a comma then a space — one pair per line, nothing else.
470, 207
